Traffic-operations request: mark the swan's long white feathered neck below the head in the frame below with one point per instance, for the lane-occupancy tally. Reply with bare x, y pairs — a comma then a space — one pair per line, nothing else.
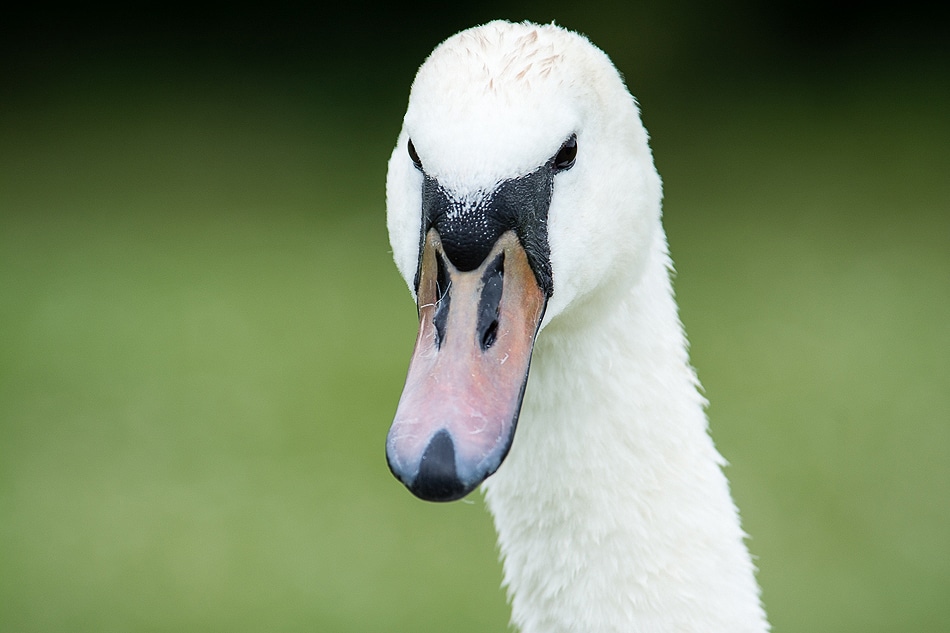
612, 511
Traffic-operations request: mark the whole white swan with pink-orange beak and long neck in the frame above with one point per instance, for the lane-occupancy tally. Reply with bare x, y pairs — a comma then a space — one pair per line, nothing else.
523, 210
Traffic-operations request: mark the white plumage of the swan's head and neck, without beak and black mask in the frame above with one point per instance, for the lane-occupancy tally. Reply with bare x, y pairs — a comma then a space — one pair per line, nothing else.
611, 508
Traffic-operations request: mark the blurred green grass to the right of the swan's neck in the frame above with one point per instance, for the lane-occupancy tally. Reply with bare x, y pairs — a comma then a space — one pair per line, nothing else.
814, 272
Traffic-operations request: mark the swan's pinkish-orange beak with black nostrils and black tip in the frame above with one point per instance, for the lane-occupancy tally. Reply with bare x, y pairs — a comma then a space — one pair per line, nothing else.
458, 411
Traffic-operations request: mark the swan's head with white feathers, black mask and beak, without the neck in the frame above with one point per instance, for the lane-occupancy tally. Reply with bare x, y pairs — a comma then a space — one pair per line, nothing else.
521, 183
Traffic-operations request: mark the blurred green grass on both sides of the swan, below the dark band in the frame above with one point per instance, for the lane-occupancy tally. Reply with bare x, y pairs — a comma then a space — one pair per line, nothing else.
203, 340
